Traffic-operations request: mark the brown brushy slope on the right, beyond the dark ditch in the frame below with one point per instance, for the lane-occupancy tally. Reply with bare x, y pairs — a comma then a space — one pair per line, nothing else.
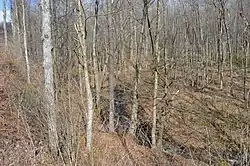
202, 122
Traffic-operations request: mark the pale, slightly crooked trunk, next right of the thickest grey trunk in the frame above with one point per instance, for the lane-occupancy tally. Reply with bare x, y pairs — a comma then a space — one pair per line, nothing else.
82, 35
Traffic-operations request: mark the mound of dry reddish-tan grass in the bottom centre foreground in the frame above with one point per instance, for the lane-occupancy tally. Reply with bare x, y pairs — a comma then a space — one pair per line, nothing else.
112, 149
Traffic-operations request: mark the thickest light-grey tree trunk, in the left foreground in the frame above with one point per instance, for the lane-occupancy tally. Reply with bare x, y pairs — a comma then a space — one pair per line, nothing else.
48, 75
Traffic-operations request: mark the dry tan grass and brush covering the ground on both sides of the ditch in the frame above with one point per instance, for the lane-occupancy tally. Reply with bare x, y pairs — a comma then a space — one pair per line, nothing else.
202, 125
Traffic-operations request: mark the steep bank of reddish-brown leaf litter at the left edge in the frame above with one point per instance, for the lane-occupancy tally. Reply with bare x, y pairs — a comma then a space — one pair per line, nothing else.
15, 145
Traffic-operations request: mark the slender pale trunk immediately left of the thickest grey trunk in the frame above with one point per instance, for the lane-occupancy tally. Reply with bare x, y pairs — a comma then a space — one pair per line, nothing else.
25, 43
